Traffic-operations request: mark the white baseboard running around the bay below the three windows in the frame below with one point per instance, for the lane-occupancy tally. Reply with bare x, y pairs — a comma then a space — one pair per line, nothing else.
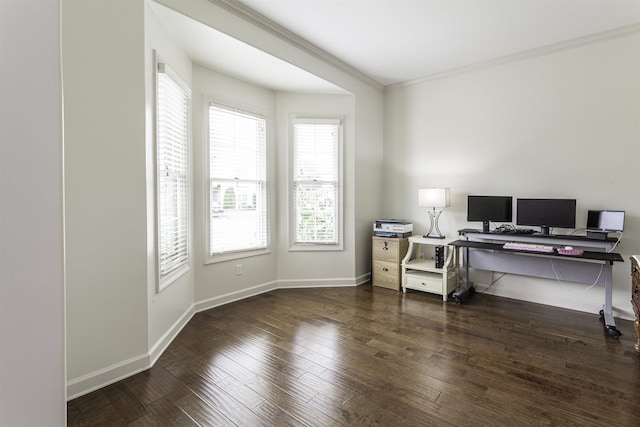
92, 381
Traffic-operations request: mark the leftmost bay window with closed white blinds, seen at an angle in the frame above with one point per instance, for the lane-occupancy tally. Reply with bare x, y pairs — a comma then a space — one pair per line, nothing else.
172, 165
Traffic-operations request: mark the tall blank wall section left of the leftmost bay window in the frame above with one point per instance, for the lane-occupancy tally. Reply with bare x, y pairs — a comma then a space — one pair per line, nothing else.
105, 185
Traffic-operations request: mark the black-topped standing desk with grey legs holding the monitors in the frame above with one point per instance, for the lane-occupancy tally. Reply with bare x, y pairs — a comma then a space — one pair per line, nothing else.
484, 251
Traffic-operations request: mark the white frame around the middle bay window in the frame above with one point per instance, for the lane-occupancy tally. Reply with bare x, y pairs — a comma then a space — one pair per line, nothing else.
212, 258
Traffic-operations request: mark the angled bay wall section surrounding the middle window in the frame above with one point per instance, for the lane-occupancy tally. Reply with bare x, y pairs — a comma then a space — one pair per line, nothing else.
217, 283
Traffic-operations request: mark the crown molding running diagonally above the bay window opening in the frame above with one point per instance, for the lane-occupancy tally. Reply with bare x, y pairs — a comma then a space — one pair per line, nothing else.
277, 30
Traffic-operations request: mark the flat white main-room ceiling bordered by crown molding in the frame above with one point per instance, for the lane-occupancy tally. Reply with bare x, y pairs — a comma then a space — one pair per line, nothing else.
396, 41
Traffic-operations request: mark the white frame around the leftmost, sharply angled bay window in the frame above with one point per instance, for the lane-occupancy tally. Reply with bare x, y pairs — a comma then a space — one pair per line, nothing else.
165, 280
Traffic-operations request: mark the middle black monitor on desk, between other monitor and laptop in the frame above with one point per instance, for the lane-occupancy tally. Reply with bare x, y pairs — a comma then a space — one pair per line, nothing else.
546, 213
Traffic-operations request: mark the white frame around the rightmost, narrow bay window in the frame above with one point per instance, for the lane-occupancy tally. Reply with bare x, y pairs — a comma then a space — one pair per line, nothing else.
294, 245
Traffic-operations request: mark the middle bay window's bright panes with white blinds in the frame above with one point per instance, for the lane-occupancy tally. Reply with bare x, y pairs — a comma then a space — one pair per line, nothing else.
237, 182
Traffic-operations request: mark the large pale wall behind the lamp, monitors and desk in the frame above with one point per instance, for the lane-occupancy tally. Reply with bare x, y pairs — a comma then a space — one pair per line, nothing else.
564, 124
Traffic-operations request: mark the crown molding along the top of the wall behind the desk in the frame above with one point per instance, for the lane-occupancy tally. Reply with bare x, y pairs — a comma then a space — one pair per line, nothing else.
531, 53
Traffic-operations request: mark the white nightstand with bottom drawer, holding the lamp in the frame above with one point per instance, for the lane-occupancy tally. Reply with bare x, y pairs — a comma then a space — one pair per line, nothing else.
419, 270
